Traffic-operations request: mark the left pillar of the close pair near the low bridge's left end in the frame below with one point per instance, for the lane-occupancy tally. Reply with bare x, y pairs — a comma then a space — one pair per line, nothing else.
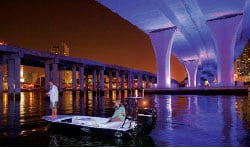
11, 70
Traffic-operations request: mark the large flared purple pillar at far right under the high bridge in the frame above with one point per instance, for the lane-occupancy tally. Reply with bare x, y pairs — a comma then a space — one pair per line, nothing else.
225, 33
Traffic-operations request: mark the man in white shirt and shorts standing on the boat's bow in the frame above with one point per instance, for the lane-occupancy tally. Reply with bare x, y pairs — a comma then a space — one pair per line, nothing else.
53, 94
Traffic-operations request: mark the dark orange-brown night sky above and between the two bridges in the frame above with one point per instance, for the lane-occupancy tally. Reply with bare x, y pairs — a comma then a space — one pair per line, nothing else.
90, 30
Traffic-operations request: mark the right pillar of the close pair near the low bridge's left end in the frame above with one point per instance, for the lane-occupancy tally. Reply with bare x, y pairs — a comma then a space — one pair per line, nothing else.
17, 75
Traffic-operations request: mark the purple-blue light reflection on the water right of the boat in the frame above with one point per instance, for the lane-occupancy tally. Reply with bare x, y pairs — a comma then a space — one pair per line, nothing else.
200, 121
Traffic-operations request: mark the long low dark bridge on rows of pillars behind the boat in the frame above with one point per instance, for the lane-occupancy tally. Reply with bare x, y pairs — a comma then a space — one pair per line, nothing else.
54, 65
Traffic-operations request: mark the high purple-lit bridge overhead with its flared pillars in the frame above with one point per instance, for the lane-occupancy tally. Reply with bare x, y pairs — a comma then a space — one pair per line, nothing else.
205, 35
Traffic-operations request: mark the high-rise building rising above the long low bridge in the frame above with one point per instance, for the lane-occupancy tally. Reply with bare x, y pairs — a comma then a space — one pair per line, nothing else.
60, 48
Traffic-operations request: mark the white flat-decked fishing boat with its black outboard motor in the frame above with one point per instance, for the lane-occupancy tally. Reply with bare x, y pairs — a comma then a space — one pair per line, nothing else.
142, 124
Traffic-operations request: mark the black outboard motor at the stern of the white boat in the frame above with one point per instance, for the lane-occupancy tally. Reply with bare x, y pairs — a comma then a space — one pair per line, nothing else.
146, 120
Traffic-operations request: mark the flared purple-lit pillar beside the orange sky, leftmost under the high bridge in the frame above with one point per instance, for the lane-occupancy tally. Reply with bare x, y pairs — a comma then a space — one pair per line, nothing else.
162, 43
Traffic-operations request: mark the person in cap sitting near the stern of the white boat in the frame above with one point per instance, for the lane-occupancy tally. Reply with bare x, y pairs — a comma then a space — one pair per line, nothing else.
120, 113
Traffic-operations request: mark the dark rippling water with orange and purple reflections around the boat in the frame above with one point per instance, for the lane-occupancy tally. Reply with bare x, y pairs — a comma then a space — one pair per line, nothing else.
182, 120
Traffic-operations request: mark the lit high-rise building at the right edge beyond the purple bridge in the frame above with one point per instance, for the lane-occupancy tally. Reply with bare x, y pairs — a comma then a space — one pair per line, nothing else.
243, 64
